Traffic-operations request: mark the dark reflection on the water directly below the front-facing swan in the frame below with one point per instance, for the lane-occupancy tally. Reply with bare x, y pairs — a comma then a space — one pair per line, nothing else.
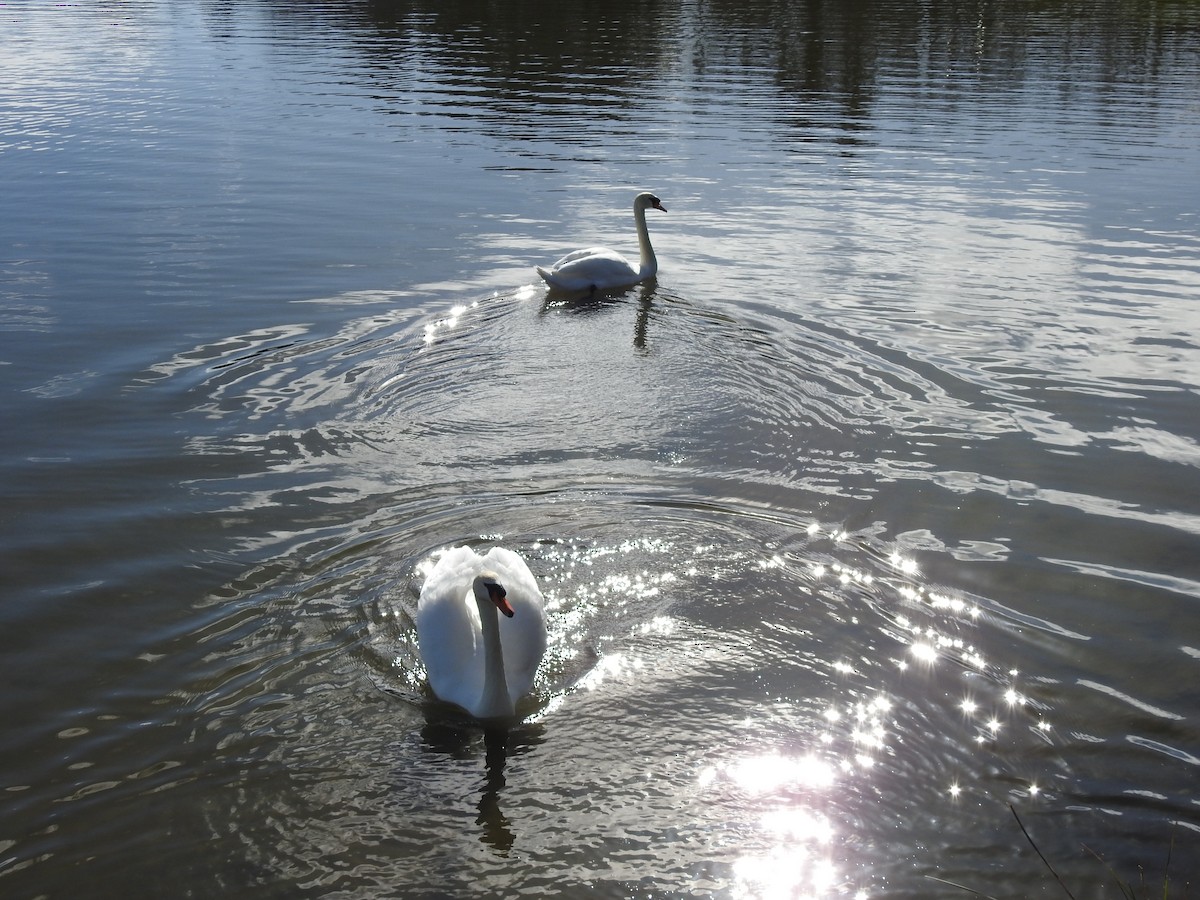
461, 739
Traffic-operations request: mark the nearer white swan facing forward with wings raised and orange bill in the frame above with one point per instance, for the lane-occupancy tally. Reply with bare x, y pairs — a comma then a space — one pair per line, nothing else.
475, 659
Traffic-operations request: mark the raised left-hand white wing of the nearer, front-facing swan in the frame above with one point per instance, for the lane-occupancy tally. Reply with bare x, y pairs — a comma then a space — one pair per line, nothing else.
448, 632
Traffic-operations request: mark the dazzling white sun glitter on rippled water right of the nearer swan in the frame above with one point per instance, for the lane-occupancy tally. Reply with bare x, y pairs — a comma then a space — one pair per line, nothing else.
787, 833
